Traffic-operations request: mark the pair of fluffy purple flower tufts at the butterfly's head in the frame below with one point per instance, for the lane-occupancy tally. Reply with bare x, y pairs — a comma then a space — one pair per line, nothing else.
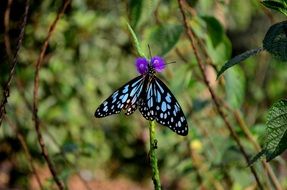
156, 64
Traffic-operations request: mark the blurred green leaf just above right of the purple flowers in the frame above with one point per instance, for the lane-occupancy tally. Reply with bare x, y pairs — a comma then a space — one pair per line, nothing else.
163, 38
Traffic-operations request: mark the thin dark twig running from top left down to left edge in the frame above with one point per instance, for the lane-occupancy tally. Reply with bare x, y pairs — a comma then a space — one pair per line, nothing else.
6, 90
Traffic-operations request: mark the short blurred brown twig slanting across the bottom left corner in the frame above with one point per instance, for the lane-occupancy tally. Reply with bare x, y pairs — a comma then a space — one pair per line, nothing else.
26, 149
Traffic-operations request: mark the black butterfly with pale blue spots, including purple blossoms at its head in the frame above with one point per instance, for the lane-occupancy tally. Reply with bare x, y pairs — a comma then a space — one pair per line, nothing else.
148, 93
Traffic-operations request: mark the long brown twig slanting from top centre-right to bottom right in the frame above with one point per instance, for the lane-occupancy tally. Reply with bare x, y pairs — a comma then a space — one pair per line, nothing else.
213, 95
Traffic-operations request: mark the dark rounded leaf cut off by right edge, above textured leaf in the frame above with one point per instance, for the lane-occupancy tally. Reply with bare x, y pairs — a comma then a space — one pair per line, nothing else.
275, 41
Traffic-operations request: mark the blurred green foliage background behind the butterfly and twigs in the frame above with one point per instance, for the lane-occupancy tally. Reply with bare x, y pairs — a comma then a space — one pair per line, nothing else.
91, 54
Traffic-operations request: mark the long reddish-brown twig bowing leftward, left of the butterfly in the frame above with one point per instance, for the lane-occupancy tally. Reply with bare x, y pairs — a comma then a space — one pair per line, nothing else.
35, 97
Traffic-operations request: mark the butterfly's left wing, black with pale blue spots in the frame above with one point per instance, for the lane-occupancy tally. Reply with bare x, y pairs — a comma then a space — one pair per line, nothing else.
123, 98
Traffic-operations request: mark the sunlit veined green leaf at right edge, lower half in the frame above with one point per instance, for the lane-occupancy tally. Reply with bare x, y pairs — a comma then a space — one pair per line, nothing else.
276, 139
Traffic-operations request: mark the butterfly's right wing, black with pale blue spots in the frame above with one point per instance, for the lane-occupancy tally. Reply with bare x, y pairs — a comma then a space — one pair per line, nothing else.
161, 105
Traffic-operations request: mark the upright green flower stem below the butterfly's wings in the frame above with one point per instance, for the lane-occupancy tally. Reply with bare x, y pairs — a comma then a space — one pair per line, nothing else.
153, 158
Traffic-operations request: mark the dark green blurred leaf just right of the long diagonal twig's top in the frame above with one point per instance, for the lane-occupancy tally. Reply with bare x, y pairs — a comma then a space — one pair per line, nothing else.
214, 29
